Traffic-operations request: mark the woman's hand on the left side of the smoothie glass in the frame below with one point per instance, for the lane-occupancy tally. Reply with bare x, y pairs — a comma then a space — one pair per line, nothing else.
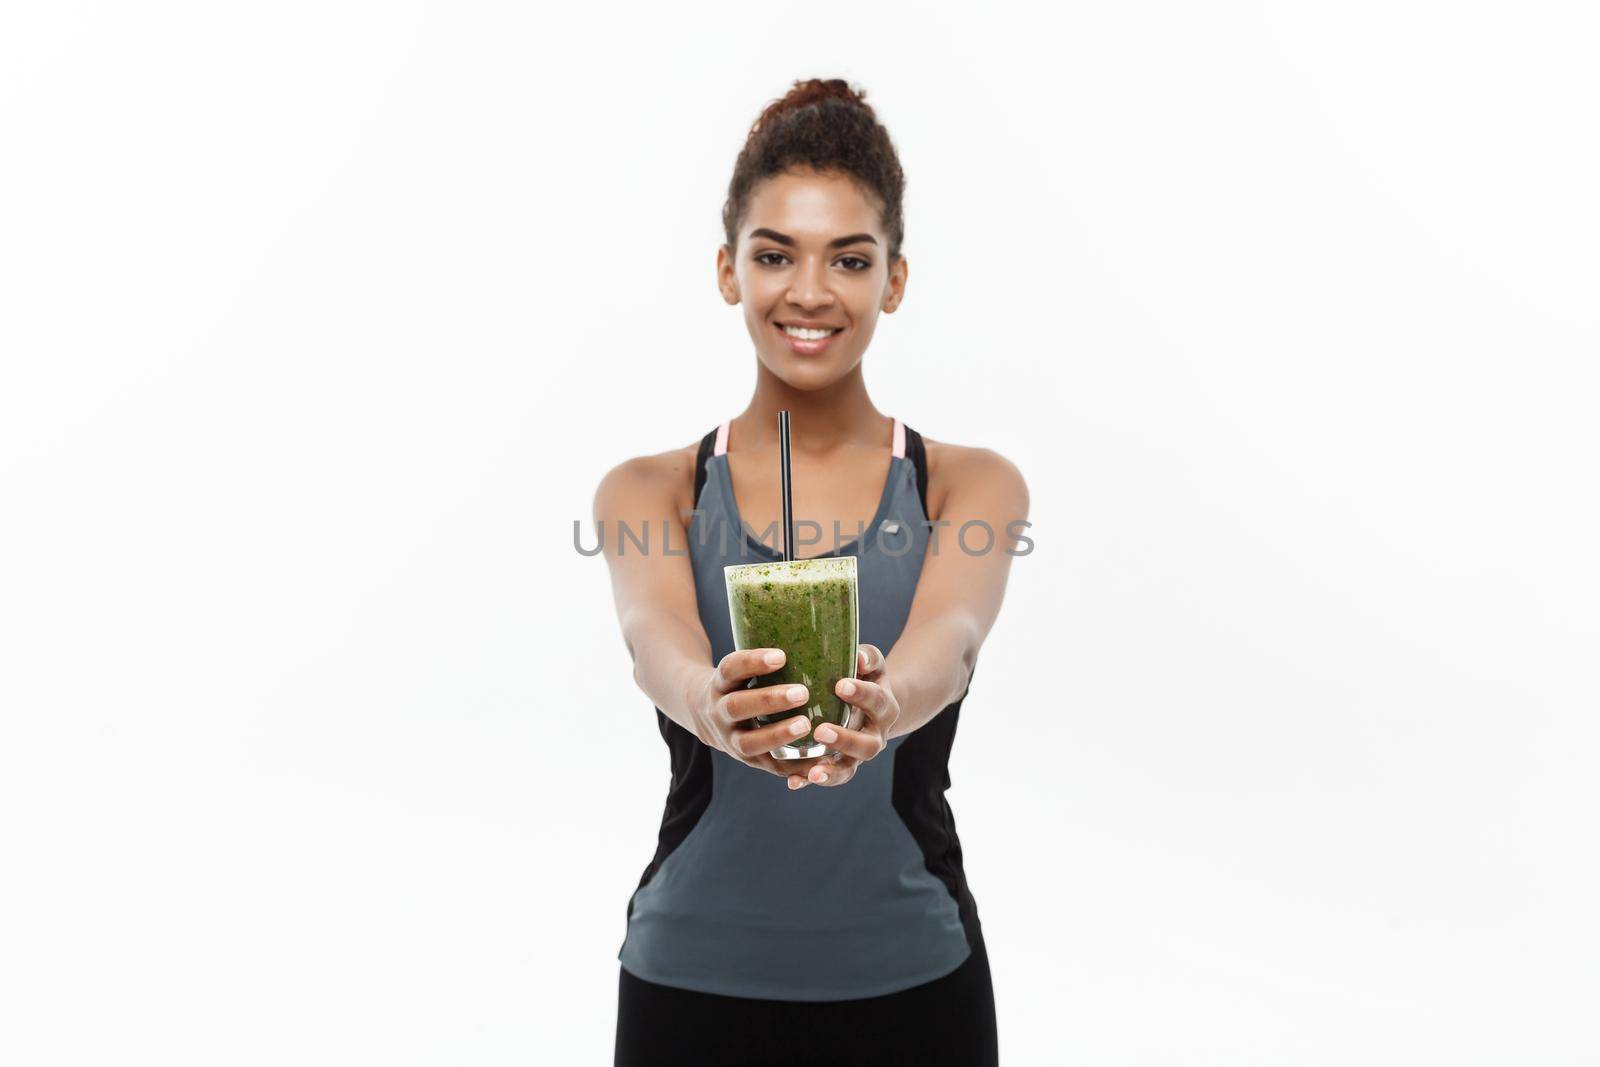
726, 713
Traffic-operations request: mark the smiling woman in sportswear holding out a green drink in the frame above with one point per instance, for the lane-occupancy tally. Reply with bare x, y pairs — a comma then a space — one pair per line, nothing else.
826, 922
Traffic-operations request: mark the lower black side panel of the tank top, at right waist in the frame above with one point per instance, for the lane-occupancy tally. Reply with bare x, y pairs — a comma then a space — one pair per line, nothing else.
922, 773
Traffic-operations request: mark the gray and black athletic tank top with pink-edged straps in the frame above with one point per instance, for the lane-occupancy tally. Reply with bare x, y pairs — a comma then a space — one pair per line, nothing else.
748, 871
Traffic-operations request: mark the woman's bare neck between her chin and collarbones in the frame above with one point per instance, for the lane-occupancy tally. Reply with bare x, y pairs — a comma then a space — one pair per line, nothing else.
820, 420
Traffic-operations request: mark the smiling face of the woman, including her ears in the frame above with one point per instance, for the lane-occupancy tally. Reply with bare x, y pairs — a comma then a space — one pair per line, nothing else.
812, 254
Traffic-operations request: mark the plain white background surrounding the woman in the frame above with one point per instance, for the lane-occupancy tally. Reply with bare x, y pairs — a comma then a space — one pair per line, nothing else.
322, 322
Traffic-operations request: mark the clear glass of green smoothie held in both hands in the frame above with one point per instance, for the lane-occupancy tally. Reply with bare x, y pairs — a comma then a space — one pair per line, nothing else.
809, 609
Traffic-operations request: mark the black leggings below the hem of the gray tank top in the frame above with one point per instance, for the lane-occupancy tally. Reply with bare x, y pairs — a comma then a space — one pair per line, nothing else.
946, 1021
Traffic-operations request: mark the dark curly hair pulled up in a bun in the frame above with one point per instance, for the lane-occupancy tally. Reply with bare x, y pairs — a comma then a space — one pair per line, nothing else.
825, 127
